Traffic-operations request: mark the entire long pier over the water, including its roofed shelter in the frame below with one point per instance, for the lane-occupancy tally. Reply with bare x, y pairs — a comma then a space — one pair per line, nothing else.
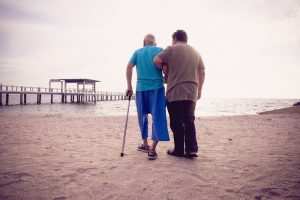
67, 95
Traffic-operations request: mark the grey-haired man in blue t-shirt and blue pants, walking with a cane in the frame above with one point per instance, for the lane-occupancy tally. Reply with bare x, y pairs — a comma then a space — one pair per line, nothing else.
150, 95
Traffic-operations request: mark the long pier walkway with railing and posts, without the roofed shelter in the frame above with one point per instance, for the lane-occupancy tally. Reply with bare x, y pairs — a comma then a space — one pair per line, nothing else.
80, 95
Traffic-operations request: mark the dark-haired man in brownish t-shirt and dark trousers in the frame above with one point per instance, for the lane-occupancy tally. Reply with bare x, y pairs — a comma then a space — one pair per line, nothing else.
185, 79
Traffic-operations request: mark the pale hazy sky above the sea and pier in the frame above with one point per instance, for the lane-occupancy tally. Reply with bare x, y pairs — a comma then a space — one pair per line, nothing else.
251, 48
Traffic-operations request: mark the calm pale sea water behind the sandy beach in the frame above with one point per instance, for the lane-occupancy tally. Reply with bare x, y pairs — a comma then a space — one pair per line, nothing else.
205, 107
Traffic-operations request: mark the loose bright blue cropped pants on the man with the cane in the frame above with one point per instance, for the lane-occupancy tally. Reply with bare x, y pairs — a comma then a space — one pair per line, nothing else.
152, 102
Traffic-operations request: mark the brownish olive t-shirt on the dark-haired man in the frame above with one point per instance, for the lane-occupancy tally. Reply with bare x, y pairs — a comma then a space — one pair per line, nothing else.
184, 64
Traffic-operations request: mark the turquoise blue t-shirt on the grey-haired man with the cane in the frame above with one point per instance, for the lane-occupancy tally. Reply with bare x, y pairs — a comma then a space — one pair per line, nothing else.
149, 77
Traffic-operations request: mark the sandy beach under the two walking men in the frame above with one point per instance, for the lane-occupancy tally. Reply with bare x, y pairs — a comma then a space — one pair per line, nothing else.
57, 157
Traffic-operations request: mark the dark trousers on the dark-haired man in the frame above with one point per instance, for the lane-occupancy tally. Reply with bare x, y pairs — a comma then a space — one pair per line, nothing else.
182, 117
